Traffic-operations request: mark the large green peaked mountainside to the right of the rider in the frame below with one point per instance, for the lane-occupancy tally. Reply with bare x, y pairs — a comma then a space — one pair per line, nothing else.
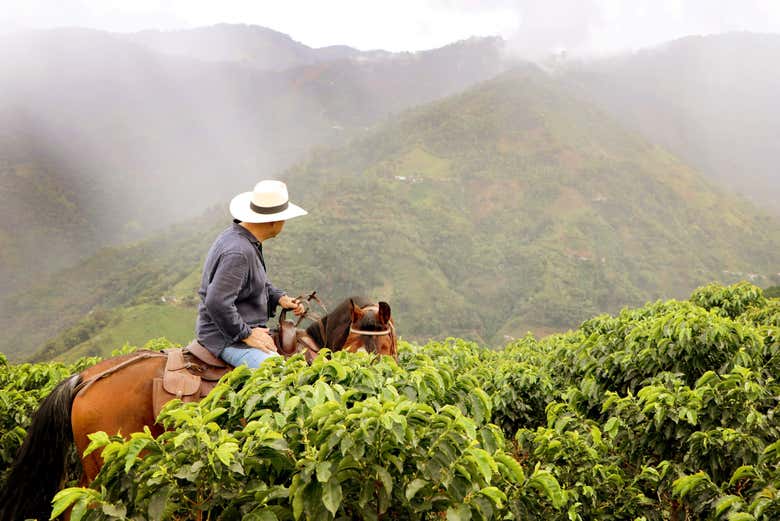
513, 207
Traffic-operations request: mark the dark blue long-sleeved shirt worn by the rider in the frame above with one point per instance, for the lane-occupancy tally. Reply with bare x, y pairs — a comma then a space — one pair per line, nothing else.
235, 293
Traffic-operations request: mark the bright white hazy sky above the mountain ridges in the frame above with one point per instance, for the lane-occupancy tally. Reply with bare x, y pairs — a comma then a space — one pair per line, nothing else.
531, 25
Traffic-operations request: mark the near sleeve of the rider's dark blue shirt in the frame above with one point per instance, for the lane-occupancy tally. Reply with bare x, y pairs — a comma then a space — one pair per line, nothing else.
229, 277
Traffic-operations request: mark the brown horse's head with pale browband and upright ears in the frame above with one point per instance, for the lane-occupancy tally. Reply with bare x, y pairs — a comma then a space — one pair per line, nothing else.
371, 330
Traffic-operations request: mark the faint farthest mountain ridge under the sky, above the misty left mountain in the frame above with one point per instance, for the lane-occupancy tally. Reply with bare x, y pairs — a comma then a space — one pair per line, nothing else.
251, 45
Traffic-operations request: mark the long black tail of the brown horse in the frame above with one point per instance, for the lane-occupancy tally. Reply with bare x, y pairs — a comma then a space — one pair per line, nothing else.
39, 468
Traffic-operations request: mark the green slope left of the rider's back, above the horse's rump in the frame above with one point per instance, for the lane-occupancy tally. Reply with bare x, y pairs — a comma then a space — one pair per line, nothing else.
70, 307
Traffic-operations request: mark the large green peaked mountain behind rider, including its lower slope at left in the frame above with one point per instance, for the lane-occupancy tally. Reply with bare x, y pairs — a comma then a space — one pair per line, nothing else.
513, 206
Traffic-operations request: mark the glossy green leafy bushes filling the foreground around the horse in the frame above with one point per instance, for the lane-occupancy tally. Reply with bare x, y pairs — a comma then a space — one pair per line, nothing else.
668, 411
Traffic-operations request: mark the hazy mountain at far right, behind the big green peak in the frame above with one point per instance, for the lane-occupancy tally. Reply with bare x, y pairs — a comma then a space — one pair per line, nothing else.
713, 100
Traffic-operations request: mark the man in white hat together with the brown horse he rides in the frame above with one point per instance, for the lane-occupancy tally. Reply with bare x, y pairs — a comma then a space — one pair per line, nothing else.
122, 394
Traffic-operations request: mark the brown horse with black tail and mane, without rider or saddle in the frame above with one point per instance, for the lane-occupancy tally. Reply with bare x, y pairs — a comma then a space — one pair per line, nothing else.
115, 396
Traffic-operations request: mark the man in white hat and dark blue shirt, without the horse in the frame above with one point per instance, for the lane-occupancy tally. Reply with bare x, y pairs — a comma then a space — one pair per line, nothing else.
236, 297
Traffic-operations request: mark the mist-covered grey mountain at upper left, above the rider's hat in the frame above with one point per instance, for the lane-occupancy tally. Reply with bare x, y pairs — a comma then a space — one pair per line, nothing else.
119, 140
